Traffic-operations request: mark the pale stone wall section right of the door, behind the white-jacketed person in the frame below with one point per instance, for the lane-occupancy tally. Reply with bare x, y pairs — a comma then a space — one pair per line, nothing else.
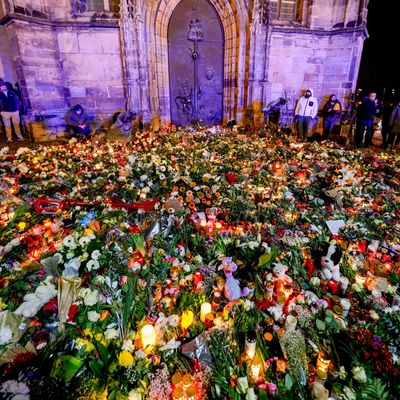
326, 63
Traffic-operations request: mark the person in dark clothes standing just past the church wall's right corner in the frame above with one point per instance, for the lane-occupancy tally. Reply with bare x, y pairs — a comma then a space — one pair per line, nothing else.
365, 118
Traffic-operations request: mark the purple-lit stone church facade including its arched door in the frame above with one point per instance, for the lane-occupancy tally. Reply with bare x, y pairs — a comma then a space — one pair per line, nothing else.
170, 58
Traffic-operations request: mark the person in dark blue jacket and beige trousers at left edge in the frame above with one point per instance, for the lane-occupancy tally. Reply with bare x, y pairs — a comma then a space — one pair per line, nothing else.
9, 110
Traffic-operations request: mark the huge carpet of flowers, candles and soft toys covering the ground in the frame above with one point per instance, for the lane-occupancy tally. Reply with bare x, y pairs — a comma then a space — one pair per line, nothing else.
199, 265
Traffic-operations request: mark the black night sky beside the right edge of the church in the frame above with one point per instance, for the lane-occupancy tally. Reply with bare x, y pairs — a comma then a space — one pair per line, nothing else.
380, 68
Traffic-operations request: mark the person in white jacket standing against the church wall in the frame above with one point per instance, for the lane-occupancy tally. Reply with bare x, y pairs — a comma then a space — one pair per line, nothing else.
306, 110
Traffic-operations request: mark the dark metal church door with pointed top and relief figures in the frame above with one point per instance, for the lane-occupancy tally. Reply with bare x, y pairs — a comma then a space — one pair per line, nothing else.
196, 54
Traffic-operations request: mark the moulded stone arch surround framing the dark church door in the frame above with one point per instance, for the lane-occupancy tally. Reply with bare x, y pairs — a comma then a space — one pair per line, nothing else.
234, 18
